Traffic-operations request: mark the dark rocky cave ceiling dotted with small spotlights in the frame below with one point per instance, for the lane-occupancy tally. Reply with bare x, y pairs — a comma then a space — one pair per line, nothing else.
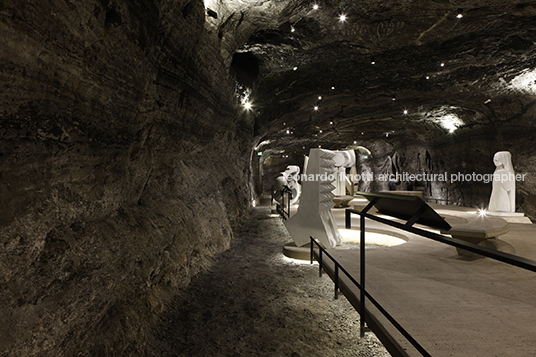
419, 69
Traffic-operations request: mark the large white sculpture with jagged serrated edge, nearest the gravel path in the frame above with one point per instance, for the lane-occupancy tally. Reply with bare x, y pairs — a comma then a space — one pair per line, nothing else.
314, 217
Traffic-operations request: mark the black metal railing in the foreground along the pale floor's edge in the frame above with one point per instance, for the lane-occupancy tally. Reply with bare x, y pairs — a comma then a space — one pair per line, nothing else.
507, 258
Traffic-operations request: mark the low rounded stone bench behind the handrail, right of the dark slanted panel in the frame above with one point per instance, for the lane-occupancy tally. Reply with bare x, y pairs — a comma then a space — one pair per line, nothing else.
481, 231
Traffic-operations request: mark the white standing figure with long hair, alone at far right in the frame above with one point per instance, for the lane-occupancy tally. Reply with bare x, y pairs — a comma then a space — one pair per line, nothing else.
503, 192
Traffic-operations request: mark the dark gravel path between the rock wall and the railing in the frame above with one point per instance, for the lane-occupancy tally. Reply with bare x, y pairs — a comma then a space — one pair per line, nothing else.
256, 302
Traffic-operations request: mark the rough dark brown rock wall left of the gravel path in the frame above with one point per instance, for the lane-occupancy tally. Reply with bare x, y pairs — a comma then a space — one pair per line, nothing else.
123, 168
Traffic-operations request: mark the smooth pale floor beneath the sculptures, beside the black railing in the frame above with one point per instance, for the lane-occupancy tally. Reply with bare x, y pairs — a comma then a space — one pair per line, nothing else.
451, 305
